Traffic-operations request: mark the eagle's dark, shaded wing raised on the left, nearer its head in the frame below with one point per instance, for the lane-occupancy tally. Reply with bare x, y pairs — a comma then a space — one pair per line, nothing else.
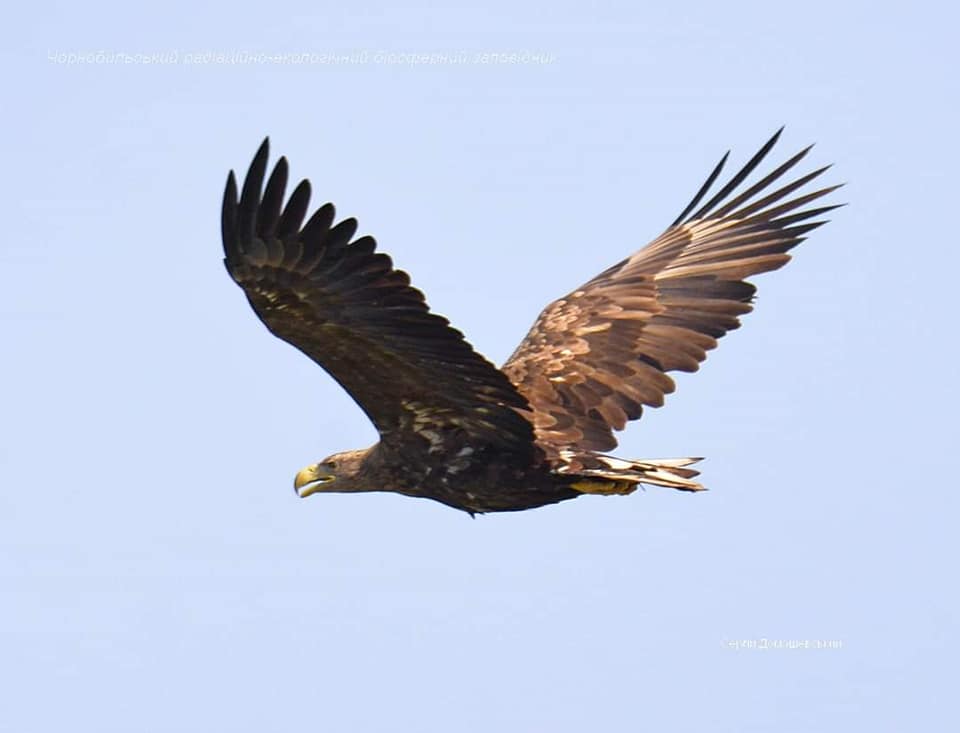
347, 308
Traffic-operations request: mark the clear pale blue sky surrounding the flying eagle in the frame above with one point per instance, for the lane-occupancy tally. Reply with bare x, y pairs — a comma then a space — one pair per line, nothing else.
157, 572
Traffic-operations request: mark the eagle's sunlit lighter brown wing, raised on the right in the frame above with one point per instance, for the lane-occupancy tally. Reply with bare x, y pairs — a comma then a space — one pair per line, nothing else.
596, 356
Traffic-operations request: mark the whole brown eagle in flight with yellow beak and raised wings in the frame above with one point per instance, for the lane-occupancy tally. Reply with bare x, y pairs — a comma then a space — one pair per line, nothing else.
454, 428
